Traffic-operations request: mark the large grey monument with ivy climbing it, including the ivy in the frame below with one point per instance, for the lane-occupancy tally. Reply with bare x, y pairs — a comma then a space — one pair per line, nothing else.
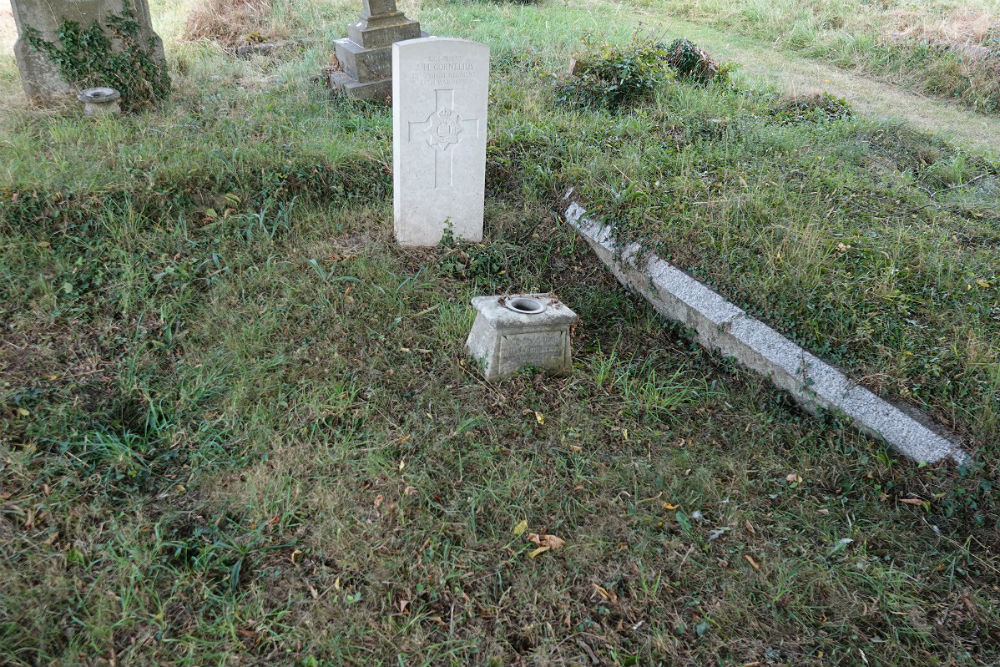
64, 46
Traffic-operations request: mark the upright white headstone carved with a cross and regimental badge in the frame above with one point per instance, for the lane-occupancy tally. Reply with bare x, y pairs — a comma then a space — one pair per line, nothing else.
440, 92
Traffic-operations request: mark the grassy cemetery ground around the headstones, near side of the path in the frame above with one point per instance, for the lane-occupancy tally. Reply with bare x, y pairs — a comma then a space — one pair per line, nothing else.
238, 424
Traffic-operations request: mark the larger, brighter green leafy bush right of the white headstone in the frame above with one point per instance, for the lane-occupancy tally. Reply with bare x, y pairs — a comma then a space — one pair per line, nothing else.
612, 76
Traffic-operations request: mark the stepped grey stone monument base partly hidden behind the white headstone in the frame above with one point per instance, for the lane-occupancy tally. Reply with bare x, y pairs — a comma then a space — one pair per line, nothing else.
365, 55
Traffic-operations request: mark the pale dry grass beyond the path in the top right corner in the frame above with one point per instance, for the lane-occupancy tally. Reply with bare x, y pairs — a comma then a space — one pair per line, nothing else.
945, 48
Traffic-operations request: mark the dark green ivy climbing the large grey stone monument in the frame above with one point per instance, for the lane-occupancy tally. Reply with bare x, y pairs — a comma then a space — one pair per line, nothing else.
88, 58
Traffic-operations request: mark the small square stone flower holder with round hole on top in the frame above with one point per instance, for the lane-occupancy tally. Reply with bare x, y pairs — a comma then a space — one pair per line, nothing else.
514, 332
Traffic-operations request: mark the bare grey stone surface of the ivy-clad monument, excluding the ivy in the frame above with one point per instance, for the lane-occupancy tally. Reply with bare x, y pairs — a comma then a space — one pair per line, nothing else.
40, 76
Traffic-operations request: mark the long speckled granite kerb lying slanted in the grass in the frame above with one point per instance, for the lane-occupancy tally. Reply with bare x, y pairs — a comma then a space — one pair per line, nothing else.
723, 327
